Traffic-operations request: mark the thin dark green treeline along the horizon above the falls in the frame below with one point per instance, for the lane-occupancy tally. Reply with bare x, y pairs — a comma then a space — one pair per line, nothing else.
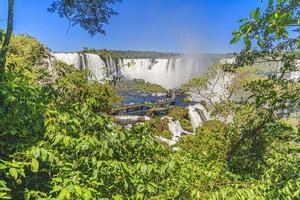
129, 54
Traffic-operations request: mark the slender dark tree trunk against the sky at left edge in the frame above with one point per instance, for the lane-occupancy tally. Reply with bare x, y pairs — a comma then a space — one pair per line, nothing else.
9, 30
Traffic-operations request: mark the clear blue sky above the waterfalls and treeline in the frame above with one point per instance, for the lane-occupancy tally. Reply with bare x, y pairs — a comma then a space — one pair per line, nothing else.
203, 26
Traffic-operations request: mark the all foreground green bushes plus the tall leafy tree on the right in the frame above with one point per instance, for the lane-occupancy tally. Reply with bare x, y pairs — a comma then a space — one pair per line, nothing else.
57, 142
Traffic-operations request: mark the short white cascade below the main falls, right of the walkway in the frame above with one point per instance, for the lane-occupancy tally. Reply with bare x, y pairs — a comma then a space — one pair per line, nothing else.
197, 115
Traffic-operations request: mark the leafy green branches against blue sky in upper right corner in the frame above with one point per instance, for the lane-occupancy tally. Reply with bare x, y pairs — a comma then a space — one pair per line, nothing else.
272, 26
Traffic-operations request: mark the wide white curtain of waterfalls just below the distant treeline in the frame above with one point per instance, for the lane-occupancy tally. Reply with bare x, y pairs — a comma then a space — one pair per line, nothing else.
170, 73
